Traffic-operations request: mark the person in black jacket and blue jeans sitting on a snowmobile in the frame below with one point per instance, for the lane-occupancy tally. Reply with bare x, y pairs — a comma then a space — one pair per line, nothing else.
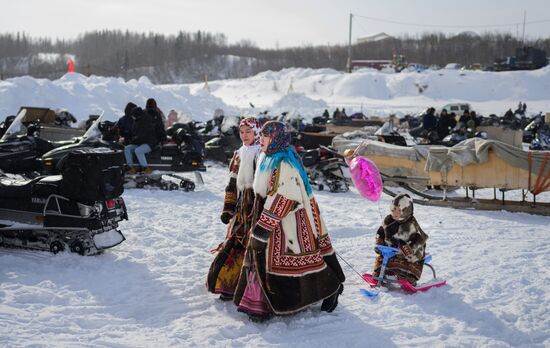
143, 140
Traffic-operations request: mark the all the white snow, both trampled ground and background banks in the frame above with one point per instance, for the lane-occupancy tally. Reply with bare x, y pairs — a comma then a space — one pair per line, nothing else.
149, 290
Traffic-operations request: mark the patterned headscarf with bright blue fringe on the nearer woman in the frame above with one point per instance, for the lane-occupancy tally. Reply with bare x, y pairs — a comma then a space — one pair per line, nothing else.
280, 150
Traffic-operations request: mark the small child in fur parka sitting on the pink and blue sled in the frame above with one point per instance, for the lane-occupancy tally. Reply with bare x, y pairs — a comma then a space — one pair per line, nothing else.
401, 230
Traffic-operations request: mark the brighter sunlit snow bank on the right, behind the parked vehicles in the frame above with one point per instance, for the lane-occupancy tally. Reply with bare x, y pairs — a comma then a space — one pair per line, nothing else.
379, 93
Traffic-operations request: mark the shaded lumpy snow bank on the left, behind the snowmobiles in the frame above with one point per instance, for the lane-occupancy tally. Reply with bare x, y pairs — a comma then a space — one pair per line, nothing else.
83, 96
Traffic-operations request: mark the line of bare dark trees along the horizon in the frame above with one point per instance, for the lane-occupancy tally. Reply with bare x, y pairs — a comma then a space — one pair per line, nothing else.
192, 56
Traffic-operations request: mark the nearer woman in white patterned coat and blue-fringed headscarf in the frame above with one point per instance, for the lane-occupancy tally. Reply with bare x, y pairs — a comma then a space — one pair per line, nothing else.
290, 263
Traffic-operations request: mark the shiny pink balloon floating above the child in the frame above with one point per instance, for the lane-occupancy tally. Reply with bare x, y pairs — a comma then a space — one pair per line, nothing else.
366, 177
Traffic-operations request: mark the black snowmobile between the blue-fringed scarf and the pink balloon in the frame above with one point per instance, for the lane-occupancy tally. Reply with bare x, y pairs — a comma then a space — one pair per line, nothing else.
325, 166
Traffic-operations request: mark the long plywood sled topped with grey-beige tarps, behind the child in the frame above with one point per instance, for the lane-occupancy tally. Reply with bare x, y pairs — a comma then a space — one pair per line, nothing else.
473, 164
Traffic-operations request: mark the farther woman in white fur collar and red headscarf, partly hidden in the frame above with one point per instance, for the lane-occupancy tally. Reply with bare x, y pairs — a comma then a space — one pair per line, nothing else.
239, 198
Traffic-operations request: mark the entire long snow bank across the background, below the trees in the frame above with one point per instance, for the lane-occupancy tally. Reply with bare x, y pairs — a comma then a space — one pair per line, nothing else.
301, 91
